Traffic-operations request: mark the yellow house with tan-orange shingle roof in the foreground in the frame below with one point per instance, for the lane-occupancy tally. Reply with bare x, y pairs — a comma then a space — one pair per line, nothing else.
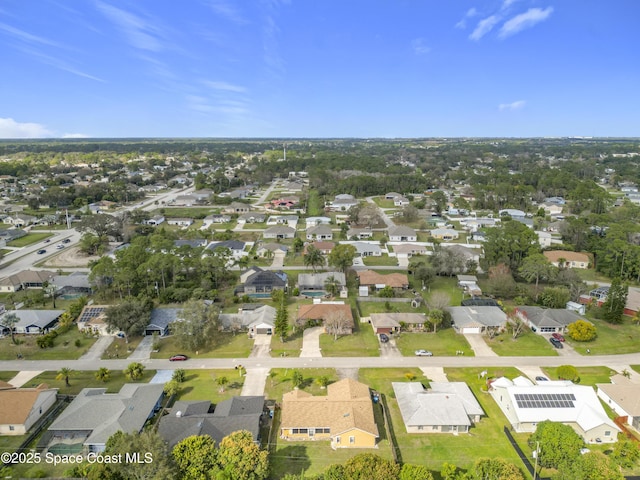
344, 416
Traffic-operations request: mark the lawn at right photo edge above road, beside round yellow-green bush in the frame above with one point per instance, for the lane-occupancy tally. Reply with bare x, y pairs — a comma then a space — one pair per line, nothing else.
611, 340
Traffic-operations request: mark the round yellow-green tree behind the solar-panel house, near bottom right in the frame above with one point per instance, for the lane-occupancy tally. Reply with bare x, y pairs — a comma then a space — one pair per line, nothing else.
558, 444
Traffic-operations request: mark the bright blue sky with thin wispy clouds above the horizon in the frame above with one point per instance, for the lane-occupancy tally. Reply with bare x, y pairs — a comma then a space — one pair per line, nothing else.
319, 68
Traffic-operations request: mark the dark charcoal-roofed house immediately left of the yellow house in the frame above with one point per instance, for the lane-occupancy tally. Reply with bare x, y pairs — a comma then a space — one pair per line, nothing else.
188, 418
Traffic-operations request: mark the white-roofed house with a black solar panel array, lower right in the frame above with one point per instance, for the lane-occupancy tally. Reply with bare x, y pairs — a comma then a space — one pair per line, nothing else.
525, 405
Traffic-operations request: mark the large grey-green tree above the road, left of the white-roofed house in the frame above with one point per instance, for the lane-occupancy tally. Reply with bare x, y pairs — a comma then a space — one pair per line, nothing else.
197, 325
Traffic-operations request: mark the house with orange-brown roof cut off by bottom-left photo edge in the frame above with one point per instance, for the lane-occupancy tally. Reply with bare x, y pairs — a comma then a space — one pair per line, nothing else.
23, 407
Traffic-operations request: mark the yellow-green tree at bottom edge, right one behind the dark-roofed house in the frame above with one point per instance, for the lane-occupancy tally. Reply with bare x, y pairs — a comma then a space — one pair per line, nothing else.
241, 458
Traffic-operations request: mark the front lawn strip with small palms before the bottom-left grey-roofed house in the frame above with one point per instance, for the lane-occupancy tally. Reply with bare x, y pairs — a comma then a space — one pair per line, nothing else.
86, 379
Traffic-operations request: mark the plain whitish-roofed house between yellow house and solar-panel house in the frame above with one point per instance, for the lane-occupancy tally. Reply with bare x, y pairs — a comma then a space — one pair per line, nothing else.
446, 407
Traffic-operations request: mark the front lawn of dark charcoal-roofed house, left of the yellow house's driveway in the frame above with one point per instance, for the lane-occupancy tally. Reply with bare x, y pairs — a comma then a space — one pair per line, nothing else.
201, 385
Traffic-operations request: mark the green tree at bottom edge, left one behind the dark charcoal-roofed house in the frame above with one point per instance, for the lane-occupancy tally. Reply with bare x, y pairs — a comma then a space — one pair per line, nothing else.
196, 458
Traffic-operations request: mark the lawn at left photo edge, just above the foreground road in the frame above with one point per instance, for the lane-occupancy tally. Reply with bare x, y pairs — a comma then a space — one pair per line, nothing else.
64, 347
